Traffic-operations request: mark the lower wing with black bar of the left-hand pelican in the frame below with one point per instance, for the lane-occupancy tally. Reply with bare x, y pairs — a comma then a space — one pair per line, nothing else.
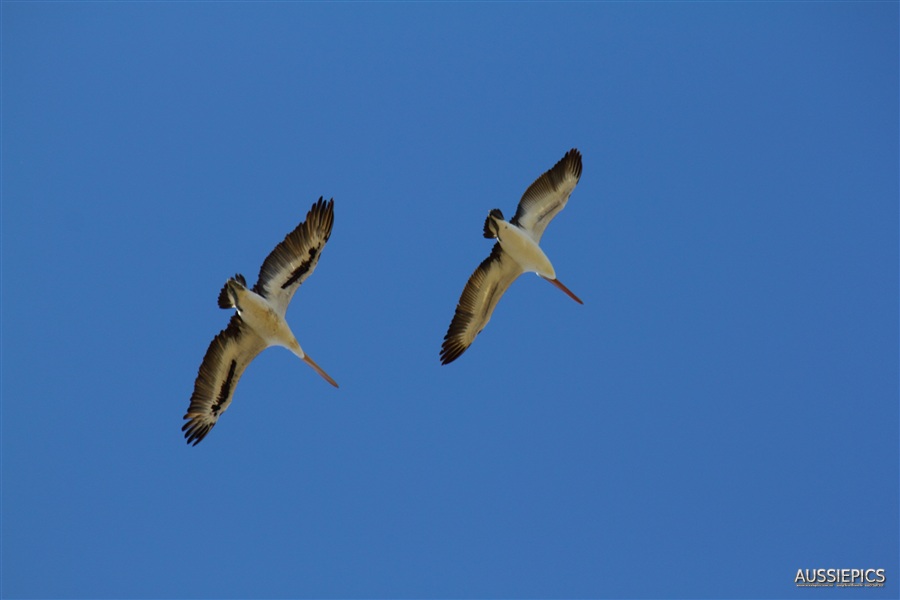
226, 358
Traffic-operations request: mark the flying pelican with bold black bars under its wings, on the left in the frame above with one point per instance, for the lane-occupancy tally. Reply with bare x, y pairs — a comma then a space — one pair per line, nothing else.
259, 321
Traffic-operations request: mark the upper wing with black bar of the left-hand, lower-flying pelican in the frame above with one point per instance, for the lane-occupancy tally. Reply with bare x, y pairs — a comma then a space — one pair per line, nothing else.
295, 258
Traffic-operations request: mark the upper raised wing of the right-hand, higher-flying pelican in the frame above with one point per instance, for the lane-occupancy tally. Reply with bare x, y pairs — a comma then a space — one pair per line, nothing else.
548, 195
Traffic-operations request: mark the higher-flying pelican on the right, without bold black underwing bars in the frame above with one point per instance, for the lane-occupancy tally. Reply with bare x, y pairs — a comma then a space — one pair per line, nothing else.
516, 252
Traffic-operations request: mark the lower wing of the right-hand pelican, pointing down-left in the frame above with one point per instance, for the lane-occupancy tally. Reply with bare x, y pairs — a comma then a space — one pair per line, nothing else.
481, 294
